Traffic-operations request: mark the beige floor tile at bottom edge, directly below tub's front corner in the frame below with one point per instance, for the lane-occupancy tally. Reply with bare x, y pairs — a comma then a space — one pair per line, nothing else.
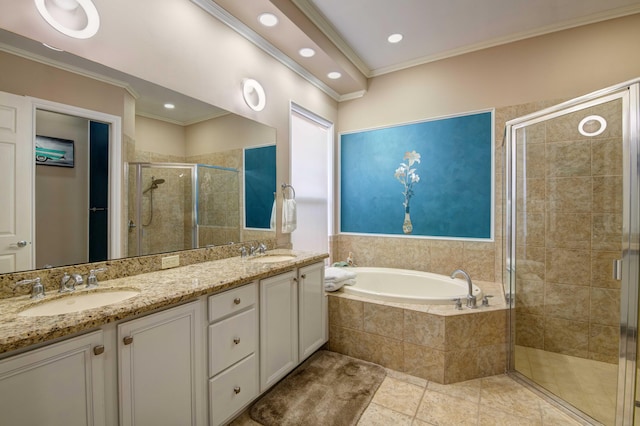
441, 409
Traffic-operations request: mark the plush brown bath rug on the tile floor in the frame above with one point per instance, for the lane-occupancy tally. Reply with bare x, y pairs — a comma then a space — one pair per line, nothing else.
327, 389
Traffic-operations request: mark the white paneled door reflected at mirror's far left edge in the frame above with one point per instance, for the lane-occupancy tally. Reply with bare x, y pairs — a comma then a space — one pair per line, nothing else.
16, 171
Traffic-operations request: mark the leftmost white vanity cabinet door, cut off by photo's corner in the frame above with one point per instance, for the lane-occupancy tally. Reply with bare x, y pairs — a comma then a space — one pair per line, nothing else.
58, 385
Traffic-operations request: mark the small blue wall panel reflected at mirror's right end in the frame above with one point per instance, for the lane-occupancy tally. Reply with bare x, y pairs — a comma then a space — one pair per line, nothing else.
259, 185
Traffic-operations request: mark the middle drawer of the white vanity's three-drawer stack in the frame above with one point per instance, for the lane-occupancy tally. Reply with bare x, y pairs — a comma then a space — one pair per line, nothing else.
232, 339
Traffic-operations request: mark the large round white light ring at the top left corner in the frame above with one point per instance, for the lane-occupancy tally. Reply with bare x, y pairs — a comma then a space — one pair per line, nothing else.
75, 18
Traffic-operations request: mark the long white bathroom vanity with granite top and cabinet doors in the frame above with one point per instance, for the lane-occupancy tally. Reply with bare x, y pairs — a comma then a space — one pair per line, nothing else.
194, 346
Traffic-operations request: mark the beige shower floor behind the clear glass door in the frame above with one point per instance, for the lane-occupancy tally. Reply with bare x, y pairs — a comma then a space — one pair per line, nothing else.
586, 384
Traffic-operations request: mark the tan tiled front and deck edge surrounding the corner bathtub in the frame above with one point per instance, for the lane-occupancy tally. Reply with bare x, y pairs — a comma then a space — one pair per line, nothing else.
434, 342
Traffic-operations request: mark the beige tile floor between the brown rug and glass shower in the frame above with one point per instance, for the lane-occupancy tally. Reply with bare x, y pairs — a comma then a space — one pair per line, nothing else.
497, 400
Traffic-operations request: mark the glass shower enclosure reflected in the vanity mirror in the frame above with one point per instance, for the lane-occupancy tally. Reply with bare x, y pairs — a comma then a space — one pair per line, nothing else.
179, 206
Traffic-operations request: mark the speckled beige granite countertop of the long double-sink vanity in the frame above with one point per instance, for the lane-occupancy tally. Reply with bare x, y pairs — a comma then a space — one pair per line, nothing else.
157, 290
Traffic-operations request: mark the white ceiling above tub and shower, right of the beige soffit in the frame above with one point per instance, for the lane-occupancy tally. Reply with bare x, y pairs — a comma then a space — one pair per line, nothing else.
434, 29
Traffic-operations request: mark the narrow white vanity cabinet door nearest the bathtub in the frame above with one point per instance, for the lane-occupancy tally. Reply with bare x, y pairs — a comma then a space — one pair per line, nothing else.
312, 309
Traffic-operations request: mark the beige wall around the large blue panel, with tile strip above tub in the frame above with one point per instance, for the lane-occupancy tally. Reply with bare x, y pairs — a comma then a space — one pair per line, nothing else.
516, 79
